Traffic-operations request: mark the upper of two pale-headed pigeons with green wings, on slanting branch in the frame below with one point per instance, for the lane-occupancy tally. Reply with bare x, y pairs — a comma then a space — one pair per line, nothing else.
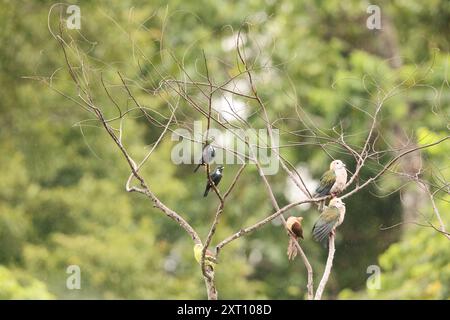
332, 181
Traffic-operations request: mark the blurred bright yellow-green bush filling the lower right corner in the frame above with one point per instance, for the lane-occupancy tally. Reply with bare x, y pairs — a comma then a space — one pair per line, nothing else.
416, 268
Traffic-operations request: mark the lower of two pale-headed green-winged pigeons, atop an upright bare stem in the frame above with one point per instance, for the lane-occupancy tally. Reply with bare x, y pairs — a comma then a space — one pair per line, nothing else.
330, 218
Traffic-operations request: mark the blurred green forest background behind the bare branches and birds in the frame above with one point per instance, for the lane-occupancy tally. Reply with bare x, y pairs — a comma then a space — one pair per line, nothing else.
62, 194
